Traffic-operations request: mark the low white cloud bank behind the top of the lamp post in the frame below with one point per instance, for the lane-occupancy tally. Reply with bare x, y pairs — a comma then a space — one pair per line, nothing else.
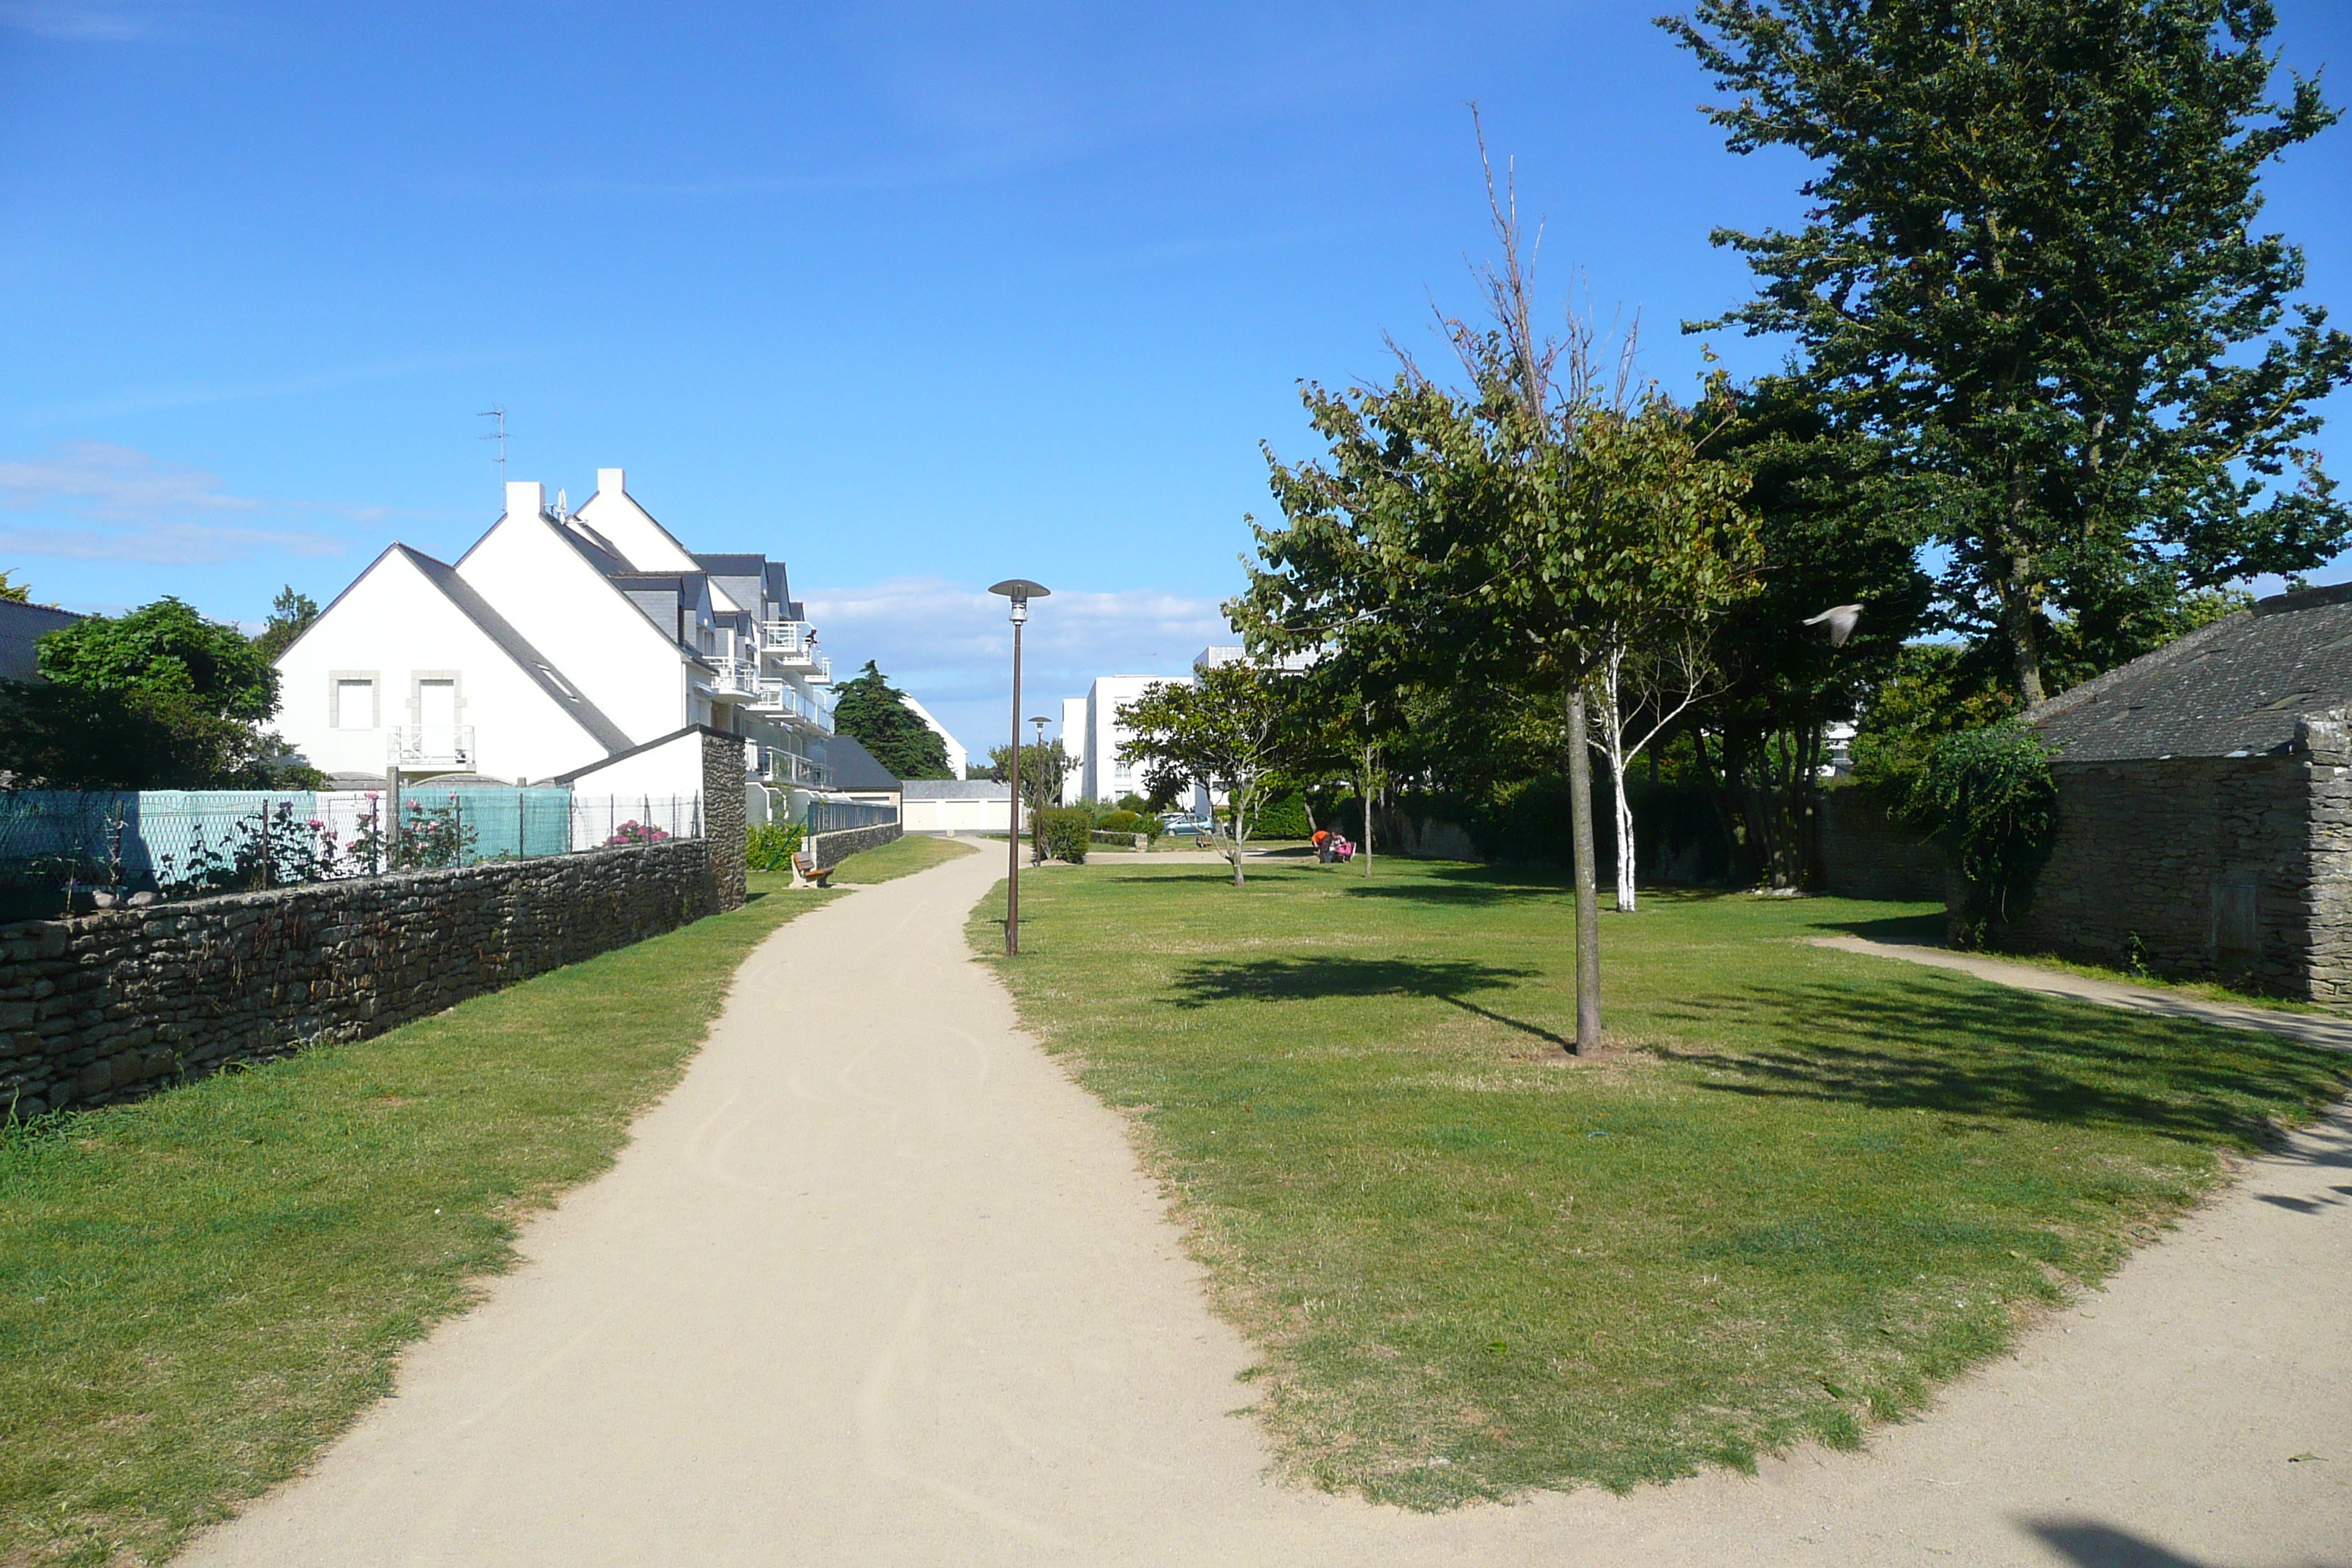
951, 645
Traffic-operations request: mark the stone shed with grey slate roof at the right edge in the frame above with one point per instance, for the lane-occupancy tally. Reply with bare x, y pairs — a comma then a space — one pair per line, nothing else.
2205, 803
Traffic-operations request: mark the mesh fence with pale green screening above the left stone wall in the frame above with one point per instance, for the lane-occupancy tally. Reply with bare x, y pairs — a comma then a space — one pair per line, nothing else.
65, 852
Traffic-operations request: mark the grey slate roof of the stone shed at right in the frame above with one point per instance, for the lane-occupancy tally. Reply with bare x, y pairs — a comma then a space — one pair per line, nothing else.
2226, 690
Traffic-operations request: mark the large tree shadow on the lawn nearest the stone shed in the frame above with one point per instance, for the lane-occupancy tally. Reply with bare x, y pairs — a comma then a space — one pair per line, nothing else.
1949, 1047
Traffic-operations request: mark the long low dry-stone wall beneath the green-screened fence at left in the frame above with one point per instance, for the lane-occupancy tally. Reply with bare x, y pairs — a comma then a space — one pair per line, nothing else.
107, 1007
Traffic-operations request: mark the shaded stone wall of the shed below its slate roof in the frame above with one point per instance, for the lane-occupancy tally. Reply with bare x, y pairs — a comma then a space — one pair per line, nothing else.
2200, 869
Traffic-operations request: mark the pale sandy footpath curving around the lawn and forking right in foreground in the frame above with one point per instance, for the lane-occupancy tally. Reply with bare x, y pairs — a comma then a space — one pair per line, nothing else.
878, 1285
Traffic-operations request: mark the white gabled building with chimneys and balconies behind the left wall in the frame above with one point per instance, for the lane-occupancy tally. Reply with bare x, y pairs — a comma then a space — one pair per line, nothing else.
577, 650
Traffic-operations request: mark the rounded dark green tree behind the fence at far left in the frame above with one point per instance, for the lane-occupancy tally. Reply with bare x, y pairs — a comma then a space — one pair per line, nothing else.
159, 699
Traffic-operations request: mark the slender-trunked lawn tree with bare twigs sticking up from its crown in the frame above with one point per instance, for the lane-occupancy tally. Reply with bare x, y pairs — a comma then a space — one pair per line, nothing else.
1490, 537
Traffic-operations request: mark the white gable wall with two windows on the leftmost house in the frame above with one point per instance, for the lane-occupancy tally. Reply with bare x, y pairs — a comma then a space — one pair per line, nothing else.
399, 655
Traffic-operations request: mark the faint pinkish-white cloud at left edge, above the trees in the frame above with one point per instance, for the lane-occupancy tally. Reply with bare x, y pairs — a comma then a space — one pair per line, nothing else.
131, 507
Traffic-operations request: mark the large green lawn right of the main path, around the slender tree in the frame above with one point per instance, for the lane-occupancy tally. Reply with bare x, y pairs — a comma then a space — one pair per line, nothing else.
1805, 1188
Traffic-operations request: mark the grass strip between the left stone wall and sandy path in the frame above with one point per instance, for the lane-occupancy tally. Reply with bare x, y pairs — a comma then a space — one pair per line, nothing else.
201, 1289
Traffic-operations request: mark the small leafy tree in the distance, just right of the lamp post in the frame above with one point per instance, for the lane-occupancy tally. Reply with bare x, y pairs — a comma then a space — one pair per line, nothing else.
1227, 732
